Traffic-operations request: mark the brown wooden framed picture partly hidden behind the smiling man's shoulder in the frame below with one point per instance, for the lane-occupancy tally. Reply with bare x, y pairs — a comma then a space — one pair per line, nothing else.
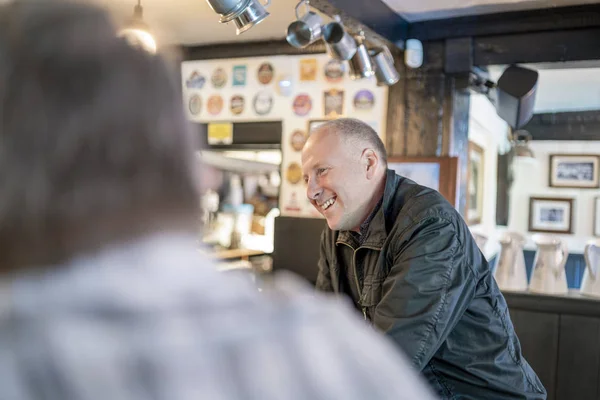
439, 173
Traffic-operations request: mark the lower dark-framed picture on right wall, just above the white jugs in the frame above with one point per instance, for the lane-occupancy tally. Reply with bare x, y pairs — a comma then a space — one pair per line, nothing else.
552, 215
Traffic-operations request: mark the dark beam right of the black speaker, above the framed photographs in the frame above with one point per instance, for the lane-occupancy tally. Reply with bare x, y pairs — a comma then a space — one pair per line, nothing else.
575, 125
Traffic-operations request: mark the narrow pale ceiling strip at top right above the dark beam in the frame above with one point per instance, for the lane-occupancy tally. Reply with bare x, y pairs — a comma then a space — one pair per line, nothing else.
420, 10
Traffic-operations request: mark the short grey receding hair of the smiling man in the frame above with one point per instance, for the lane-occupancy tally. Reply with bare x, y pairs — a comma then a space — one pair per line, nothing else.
356, 132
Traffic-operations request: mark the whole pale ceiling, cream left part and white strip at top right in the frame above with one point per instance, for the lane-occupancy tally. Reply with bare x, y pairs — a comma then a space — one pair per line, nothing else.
191, 22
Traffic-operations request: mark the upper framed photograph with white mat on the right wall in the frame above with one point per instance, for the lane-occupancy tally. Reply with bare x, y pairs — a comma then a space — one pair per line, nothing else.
574, 171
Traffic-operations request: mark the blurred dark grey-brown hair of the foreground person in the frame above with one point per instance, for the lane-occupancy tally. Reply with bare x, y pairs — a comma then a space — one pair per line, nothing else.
94, 145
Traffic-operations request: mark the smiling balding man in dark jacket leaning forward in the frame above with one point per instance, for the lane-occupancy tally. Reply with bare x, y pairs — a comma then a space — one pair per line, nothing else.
407, 260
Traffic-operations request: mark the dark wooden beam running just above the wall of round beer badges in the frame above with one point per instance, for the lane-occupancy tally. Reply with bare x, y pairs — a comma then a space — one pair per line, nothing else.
248, 49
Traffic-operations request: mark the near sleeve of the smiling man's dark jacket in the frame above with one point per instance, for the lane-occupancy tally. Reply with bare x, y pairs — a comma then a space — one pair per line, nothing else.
427, 290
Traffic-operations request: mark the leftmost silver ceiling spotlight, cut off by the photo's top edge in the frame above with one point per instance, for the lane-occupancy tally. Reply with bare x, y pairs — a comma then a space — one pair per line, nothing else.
244, 13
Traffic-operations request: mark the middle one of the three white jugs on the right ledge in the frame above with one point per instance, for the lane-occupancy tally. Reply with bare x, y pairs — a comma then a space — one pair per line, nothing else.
549, 276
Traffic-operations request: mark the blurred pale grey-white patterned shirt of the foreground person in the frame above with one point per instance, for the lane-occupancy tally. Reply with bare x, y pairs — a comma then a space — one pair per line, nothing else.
151, 320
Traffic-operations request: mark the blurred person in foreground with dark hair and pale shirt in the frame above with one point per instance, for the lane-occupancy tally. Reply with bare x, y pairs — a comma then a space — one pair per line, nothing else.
103, 295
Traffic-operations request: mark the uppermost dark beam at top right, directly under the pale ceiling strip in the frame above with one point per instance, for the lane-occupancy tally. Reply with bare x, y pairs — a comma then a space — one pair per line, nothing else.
549, 19
